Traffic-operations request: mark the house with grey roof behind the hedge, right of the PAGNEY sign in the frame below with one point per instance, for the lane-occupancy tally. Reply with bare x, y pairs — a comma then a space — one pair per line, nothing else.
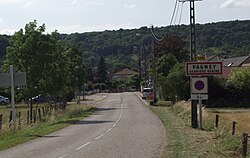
230, 63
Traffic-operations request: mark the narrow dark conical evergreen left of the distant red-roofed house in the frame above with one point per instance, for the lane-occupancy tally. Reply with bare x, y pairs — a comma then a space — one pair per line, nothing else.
102, 76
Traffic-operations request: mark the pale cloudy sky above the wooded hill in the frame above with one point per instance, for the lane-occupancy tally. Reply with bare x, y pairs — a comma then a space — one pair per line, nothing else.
71, 16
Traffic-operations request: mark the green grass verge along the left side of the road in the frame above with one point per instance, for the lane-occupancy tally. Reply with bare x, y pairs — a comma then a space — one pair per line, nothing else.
56, 121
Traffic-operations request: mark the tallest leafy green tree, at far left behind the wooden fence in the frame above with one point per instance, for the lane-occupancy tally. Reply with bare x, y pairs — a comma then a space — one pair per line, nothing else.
41, 57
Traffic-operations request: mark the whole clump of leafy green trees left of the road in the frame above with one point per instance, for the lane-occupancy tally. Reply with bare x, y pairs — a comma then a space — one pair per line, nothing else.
51, 69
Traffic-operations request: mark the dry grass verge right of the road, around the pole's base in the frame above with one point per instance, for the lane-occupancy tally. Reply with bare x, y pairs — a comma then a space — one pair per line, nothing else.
183, 141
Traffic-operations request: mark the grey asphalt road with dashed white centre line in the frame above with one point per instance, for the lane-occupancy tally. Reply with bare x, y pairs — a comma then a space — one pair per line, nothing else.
122, 127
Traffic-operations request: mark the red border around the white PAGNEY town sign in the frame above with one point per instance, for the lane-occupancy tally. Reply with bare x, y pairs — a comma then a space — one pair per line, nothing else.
195, 74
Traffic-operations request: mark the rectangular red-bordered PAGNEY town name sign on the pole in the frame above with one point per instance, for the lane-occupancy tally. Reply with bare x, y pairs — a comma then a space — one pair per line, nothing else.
203, 68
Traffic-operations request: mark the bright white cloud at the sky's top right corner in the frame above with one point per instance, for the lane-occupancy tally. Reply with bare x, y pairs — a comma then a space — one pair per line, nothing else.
235, 4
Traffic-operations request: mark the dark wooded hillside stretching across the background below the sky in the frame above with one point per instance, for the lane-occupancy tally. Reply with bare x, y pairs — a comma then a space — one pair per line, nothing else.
118, 47
